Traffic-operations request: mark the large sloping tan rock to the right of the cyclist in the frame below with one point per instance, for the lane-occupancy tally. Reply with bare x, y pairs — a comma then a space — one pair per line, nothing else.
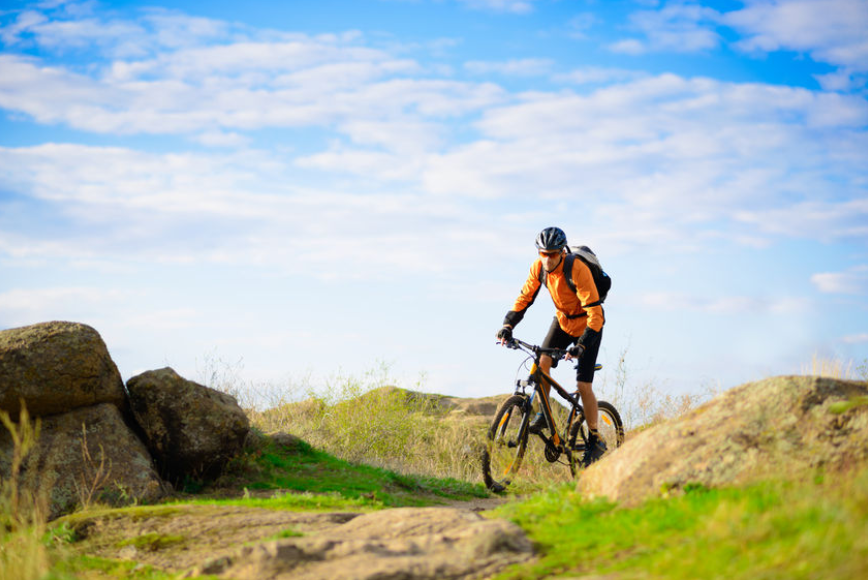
782, 425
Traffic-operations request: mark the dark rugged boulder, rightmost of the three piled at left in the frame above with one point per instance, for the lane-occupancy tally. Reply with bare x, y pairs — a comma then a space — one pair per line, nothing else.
191, 430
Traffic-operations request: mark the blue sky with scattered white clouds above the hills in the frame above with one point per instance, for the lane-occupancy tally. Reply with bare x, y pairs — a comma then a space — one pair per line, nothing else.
313, 187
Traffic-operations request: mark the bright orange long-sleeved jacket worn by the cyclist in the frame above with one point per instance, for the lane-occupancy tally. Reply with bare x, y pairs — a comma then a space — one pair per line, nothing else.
572, 316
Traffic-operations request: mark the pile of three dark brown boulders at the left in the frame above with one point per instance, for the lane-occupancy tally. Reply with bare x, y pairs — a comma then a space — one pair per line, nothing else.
91, 446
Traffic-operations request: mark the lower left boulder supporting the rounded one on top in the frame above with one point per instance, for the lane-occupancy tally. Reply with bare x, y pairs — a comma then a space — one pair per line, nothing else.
86, 455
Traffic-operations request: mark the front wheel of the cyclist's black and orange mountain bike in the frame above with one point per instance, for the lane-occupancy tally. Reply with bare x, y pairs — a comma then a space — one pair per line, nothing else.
506, 443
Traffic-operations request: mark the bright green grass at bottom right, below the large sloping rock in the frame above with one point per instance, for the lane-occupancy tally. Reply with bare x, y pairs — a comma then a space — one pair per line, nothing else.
810, 530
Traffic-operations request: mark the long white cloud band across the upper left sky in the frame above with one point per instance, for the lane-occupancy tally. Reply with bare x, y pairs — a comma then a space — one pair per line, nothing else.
154, 98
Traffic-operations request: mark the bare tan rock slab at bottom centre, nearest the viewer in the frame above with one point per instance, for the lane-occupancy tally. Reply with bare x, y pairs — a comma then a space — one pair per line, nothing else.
406, 543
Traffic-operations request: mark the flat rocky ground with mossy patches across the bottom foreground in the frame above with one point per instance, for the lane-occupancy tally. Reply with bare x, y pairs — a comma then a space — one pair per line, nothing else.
452, 541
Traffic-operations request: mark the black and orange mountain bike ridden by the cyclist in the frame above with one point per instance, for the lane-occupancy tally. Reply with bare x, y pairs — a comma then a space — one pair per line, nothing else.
508, 435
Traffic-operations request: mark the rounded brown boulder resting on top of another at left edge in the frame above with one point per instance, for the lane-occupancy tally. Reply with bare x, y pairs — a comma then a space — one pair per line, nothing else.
55, 367
